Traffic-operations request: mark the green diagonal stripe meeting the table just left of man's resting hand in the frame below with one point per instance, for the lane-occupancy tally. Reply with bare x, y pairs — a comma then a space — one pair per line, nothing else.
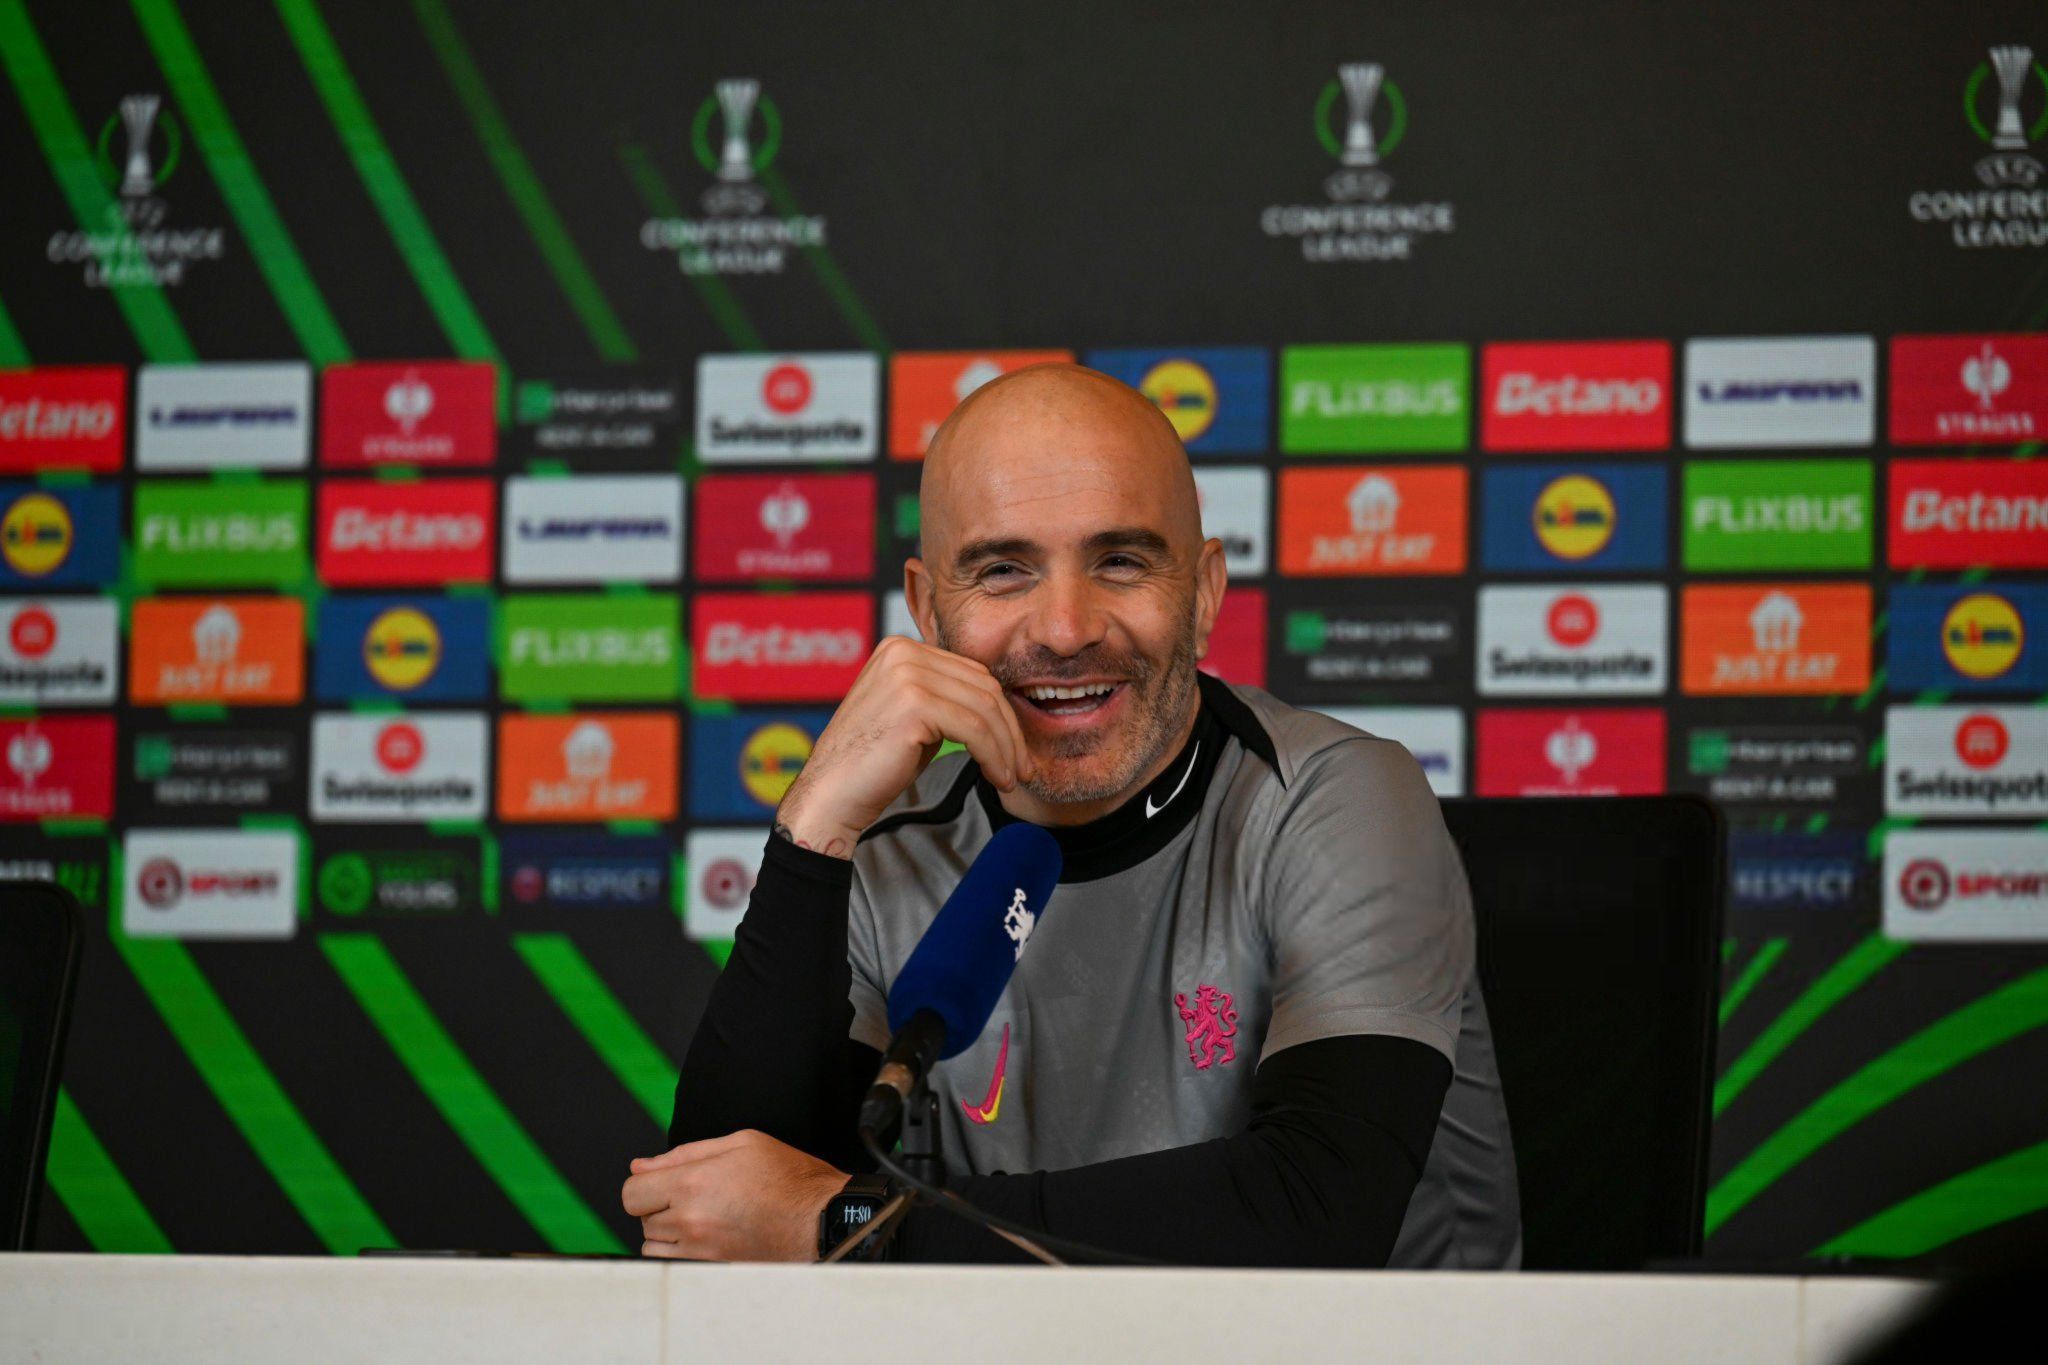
462, 1096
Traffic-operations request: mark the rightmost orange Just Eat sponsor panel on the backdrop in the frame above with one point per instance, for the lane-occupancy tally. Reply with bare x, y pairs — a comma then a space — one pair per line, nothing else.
1777, 640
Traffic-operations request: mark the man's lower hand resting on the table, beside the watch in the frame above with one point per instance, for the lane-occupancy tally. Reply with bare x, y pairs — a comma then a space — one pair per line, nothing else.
734, 1198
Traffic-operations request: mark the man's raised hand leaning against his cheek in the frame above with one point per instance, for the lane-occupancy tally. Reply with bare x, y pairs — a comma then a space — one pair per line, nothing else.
908, 701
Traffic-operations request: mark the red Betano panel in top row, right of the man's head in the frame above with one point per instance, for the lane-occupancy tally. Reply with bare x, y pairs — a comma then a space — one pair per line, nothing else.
1576, 396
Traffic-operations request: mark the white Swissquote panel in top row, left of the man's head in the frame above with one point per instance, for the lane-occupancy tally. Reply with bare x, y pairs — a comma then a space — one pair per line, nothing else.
787, 408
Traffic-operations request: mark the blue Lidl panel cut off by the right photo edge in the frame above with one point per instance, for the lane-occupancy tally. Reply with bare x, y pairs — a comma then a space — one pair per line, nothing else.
1969, 637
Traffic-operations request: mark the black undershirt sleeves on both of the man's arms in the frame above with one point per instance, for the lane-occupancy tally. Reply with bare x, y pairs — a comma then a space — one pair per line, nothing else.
1320, 1176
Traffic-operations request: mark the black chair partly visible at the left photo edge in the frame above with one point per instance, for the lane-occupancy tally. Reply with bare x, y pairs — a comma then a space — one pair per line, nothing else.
40, 942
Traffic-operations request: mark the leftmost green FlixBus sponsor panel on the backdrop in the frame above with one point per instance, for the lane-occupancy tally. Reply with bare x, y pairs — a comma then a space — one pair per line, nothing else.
218, 535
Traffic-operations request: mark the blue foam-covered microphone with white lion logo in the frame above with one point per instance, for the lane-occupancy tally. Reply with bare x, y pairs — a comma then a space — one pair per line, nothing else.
947, 992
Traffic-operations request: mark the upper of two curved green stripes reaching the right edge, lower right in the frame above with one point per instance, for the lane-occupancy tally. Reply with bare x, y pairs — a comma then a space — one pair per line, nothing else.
1940, 1047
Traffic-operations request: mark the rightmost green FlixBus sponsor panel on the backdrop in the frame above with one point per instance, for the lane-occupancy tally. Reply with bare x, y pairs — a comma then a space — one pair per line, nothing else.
1779, 515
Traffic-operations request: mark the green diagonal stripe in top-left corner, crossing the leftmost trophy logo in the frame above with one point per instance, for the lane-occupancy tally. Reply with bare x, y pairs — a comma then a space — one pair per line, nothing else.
79, 177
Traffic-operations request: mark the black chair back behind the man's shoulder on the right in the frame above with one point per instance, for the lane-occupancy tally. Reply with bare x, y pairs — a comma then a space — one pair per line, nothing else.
1601, 959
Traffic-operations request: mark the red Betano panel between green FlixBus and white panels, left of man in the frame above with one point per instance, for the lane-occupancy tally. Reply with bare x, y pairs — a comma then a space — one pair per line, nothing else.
433, 531
